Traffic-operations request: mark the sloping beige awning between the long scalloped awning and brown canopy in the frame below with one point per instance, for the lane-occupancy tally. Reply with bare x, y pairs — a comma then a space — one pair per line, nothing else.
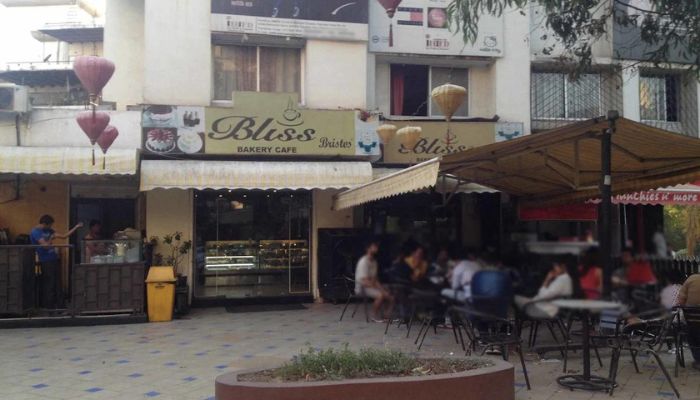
417, 177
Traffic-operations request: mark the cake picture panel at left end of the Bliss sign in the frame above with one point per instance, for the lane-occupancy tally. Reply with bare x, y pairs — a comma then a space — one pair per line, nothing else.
173, 129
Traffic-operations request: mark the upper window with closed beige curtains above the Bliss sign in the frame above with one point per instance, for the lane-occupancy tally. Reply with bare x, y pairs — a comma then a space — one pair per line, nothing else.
251, 68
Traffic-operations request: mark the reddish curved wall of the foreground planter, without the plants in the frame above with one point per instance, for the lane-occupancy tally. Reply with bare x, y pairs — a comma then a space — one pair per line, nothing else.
494, 382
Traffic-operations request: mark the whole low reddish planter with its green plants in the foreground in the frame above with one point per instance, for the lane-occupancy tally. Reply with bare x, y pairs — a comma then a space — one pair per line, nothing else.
343, 374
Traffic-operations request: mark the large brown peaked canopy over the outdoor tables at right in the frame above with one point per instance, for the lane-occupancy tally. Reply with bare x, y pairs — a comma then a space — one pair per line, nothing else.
563, 165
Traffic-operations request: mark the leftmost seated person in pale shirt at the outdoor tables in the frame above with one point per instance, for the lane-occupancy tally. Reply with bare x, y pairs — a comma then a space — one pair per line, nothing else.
367, 284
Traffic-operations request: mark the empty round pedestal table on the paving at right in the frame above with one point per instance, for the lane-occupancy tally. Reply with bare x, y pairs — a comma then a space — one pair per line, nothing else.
586, 381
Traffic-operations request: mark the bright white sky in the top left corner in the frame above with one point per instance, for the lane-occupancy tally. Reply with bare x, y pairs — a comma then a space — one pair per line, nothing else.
16, 25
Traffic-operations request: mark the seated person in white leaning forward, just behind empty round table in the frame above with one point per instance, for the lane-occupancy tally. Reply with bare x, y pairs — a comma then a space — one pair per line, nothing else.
557, 284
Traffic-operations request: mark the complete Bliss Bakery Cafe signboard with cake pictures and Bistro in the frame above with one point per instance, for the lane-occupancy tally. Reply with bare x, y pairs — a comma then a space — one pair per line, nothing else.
259, 124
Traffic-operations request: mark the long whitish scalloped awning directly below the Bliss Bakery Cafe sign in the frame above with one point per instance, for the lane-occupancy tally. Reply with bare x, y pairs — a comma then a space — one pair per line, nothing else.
189, 174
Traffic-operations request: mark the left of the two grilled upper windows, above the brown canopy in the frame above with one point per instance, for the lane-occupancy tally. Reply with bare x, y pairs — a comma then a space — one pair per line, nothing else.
554, 96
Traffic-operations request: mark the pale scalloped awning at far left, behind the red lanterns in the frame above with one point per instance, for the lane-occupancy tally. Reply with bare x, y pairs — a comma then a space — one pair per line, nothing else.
66, 160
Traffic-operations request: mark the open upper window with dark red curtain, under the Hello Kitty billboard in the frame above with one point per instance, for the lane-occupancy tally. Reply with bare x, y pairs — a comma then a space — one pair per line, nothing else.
411, 86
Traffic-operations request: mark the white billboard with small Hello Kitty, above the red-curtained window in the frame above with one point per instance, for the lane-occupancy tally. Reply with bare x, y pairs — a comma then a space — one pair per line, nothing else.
421, 27
